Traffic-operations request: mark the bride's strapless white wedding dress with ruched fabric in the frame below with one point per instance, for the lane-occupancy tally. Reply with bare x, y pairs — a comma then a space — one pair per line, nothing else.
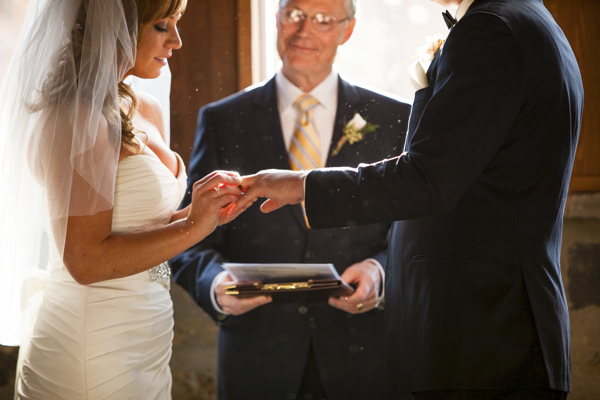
109, 340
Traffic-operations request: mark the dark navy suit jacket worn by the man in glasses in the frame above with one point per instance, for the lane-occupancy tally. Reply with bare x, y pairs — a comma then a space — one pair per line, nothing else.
262, 353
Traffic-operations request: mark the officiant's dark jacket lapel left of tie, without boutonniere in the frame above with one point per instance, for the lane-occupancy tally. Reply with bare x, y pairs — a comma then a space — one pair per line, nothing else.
268, 134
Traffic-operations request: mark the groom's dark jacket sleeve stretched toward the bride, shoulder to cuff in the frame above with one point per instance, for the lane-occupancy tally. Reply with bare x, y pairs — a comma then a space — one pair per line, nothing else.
479, 89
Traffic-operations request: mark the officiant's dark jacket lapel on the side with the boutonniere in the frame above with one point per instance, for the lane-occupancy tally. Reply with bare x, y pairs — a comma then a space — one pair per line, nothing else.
348, 104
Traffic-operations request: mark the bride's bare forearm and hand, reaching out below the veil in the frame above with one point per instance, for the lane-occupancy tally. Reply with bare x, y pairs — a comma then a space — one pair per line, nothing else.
93, 254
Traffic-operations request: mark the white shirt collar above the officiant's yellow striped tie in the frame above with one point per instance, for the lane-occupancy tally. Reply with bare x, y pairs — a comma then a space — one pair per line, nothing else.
325, 92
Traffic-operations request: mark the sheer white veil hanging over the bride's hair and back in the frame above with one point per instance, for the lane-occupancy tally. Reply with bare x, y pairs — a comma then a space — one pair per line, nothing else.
60, 136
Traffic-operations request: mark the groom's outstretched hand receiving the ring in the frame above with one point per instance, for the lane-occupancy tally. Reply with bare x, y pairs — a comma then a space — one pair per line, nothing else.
280, 187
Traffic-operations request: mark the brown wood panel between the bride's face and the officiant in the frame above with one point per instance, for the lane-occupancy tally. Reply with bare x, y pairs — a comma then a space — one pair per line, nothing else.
205, 68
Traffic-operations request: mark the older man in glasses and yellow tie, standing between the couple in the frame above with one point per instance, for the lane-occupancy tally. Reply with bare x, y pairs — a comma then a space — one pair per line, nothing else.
306, 116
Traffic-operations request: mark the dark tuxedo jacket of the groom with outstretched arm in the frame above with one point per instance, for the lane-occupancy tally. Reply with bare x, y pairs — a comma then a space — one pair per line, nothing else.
474, 296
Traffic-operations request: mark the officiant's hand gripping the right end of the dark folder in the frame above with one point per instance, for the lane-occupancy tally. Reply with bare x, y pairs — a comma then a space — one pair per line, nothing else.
365, 276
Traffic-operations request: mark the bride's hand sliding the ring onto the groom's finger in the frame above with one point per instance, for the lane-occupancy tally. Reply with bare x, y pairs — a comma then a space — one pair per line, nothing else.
212, 197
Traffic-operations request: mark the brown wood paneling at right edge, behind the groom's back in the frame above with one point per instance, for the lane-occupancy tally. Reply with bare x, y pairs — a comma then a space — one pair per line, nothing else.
580, 20
